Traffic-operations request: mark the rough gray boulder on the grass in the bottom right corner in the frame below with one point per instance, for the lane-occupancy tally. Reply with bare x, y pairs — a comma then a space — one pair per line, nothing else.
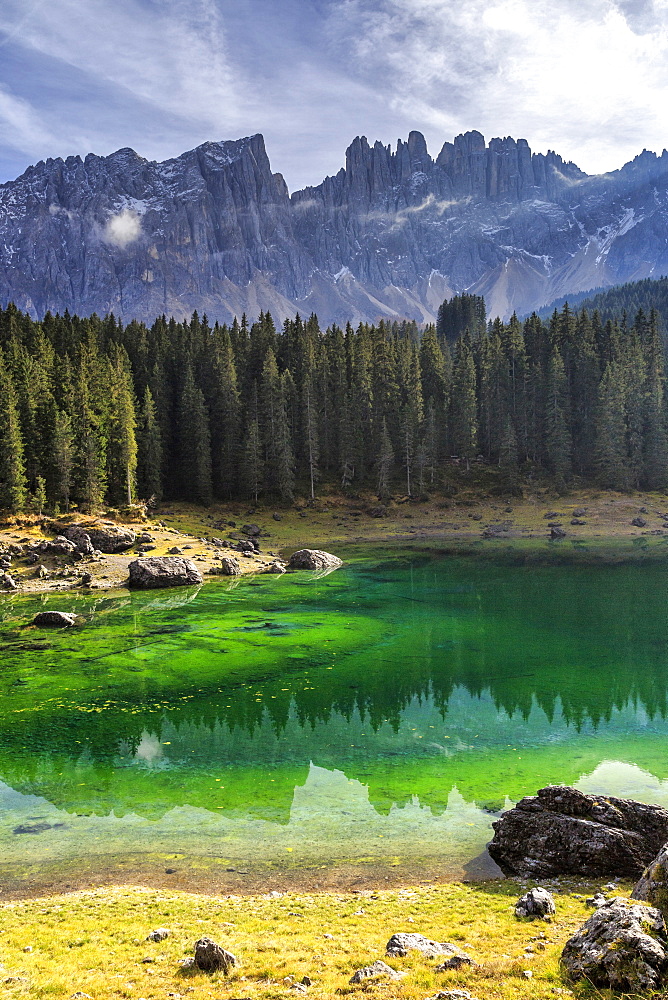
622, 946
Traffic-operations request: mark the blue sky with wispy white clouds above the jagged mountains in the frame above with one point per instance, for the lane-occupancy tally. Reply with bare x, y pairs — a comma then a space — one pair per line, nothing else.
587, 78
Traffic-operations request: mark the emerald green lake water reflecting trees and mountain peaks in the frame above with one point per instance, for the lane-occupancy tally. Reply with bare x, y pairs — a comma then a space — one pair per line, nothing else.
369, 722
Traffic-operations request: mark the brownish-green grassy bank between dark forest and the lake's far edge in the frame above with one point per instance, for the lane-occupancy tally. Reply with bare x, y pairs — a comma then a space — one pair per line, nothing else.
461, 522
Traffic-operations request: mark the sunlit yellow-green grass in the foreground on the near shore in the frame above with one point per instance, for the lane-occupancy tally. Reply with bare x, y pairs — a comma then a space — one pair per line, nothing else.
95, 942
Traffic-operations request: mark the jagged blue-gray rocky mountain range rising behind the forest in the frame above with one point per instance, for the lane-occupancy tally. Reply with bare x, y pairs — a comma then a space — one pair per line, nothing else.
390, 235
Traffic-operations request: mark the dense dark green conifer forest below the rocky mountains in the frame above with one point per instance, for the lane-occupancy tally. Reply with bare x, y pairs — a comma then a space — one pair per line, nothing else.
95, 411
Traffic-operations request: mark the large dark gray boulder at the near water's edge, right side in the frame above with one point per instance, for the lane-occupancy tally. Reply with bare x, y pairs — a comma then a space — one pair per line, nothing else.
562, 831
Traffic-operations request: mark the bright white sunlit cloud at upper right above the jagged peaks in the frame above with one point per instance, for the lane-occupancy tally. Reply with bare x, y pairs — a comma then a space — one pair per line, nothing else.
577, 76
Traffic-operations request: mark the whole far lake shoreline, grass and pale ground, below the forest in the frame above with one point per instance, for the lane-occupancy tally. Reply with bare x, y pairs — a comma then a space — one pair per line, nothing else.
512, 528
